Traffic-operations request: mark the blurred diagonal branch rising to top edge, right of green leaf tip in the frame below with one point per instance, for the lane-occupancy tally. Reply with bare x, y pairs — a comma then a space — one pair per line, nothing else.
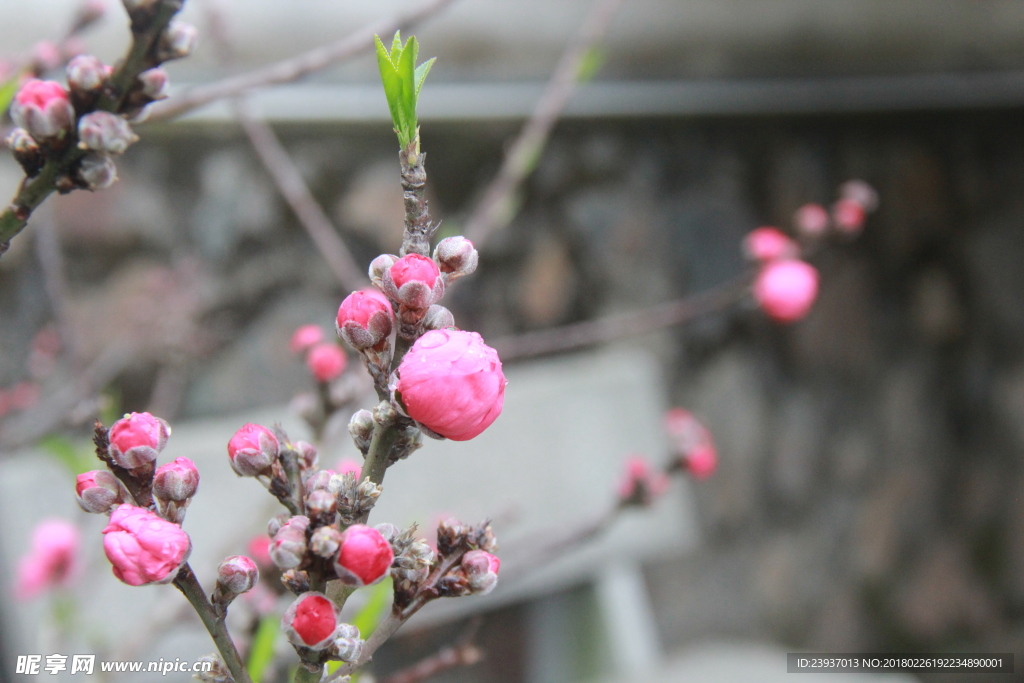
495, 210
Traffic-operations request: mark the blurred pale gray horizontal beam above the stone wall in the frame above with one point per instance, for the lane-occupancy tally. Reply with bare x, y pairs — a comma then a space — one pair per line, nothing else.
362, 104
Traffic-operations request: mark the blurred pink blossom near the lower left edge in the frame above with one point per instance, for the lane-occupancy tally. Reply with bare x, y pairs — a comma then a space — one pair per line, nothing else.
53, 560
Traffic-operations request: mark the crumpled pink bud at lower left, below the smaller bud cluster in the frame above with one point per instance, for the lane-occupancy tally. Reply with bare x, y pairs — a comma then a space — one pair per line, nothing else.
145, 548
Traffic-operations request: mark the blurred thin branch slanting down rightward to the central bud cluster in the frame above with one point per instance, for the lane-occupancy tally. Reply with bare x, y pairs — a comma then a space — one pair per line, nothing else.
293, 188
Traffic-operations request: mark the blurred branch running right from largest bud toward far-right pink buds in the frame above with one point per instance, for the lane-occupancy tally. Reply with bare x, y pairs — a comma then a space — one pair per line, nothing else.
619, 326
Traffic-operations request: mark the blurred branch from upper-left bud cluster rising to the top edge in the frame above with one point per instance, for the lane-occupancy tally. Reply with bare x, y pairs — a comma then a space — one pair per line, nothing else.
295, 68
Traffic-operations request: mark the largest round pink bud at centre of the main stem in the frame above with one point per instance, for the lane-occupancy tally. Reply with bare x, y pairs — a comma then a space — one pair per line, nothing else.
452, 383
